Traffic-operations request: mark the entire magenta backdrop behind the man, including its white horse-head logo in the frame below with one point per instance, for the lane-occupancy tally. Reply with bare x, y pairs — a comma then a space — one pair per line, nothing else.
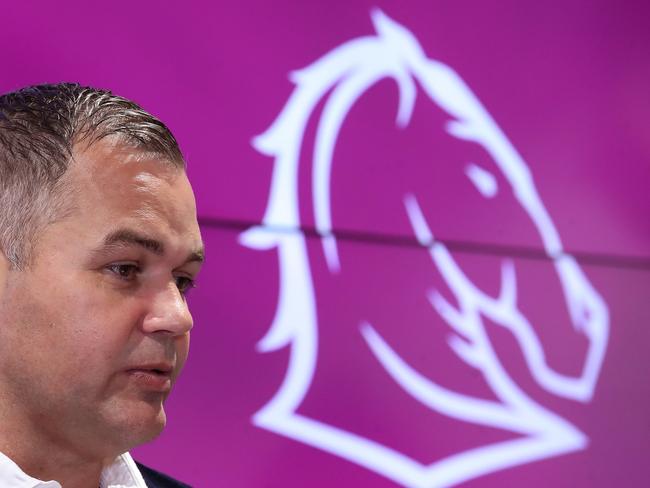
566, 83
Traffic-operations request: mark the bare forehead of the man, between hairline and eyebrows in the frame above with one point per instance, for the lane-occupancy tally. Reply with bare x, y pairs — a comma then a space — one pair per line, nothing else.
117, 186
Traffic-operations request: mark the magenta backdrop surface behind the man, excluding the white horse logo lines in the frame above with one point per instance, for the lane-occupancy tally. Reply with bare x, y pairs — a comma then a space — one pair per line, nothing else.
567, 84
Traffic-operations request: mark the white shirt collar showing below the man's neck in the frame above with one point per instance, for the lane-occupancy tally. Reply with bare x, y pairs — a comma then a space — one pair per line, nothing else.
123, 473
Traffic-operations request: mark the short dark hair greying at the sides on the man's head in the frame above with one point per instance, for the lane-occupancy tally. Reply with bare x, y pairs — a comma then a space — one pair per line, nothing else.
39, 128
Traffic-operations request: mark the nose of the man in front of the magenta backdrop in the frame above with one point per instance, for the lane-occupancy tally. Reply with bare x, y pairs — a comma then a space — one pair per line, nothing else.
168, 312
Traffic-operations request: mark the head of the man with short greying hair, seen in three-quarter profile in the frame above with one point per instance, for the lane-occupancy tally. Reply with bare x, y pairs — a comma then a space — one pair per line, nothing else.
99, 243
